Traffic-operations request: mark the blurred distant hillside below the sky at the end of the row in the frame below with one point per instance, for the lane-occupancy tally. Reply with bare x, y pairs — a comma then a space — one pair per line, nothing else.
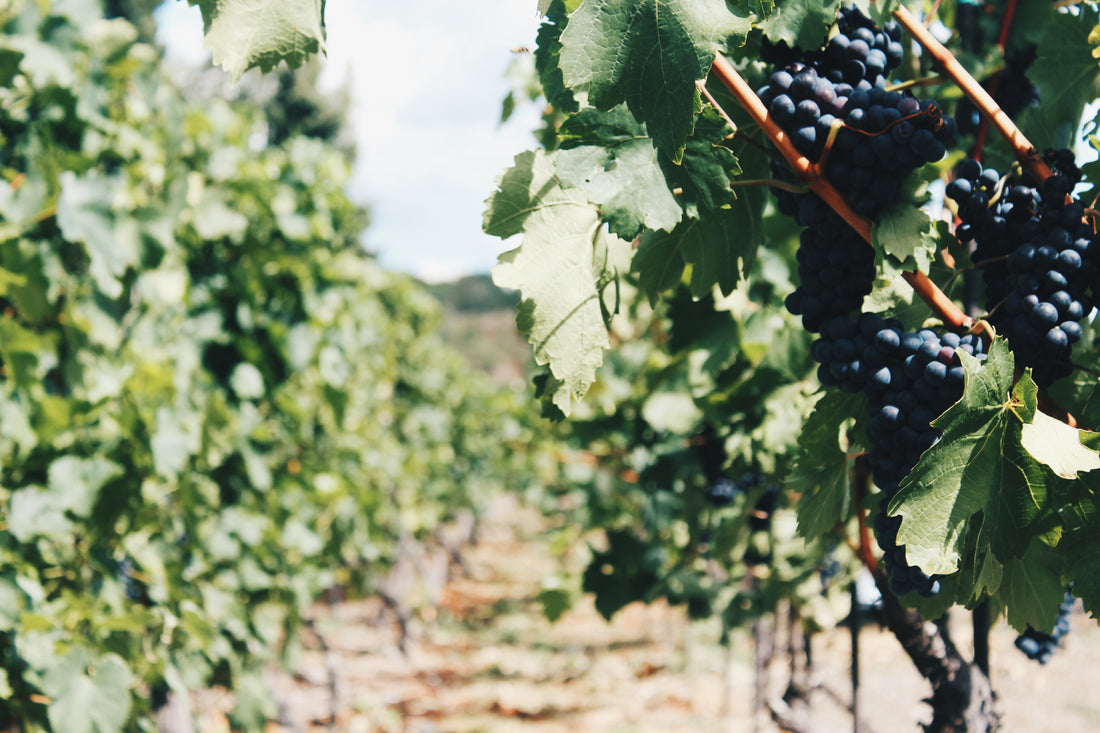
480, 322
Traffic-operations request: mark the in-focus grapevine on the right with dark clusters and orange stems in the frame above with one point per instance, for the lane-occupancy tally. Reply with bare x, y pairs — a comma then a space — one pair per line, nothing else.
849, 116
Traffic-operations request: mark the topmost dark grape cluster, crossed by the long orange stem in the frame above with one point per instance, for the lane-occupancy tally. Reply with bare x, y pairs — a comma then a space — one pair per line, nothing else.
834, 105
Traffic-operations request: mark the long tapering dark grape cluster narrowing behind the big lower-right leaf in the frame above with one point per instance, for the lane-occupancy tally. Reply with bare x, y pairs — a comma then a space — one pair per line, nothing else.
910, 379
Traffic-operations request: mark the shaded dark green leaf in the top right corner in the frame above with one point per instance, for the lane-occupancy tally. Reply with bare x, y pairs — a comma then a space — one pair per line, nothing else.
1068, 78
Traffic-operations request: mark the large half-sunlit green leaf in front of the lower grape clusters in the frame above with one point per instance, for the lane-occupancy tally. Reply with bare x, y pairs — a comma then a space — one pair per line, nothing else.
978, 466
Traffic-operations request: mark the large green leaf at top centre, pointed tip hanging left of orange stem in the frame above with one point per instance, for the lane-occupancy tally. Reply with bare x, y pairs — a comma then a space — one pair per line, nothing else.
648, 54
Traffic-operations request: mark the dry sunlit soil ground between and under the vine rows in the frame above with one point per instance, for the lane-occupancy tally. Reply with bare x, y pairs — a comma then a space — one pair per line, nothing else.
488, 662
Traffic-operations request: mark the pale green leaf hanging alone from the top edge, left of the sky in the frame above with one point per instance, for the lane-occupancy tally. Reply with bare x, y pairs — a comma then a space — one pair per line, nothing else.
245, 35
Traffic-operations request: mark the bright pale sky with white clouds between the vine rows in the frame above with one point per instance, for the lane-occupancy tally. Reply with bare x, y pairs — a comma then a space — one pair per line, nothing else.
427, 80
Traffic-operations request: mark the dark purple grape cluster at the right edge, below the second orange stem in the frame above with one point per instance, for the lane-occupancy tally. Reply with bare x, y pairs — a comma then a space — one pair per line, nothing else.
1039, 257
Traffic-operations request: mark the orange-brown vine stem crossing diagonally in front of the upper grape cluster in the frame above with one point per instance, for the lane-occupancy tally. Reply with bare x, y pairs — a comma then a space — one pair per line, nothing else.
808, 172
